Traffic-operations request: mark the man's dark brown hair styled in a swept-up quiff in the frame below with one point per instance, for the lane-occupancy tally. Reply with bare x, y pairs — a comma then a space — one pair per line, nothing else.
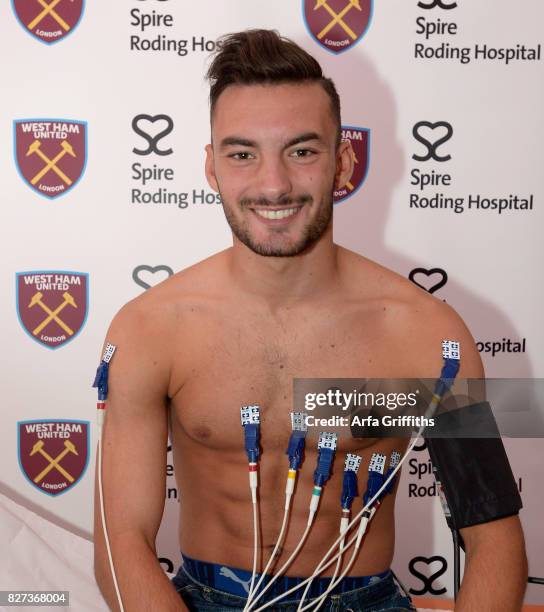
263, 57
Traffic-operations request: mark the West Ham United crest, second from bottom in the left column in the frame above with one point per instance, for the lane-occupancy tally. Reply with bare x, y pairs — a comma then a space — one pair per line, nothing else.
52, 305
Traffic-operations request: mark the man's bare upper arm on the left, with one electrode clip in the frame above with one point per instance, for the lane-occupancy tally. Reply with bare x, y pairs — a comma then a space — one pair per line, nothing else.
135, 430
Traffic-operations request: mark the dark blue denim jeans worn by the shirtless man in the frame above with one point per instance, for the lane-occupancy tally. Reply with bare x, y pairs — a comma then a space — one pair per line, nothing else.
382, 596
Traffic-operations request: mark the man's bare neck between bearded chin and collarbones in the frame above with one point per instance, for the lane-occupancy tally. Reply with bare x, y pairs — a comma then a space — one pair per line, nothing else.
283, 280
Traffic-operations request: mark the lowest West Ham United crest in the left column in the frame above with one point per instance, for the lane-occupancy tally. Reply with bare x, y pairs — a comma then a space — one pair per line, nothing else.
53, 454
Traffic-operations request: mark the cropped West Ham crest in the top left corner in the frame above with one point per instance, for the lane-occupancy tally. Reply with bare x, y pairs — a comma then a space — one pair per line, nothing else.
48, 20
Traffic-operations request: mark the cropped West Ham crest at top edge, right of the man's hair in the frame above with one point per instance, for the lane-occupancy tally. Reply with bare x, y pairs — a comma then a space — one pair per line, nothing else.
337, 25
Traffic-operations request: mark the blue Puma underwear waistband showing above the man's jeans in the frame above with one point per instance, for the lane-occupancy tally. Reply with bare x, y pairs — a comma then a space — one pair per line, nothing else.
236, 581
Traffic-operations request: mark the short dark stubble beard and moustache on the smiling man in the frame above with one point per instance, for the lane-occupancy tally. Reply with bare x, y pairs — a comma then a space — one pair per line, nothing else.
311, 233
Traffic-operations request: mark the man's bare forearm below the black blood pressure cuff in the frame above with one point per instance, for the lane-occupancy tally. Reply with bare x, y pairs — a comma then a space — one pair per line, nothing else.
495, 576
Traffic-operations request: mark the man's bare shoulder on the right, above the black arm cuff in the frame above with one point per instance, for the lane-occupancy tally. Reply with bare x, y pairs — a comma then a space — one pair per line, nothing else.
414, 321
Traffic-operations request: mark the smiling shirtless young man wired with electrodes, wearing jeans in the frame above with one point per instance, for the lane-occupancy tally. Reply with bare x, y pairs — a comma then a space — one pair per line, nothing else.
283, 302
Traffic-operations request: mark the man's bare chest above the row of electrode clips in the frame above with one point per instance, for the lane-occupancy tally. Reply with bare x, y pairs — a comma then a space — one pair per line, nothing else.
246, 361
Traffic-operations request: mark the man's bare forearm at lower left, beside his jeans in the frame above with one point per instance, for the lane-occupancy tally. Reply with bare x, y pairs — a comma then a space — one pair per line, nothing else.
143, 584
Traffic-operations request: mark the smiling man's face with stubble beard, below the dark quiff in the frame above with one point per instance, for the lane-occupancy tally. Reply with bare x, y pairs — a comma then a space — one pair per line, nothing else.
274, 162
